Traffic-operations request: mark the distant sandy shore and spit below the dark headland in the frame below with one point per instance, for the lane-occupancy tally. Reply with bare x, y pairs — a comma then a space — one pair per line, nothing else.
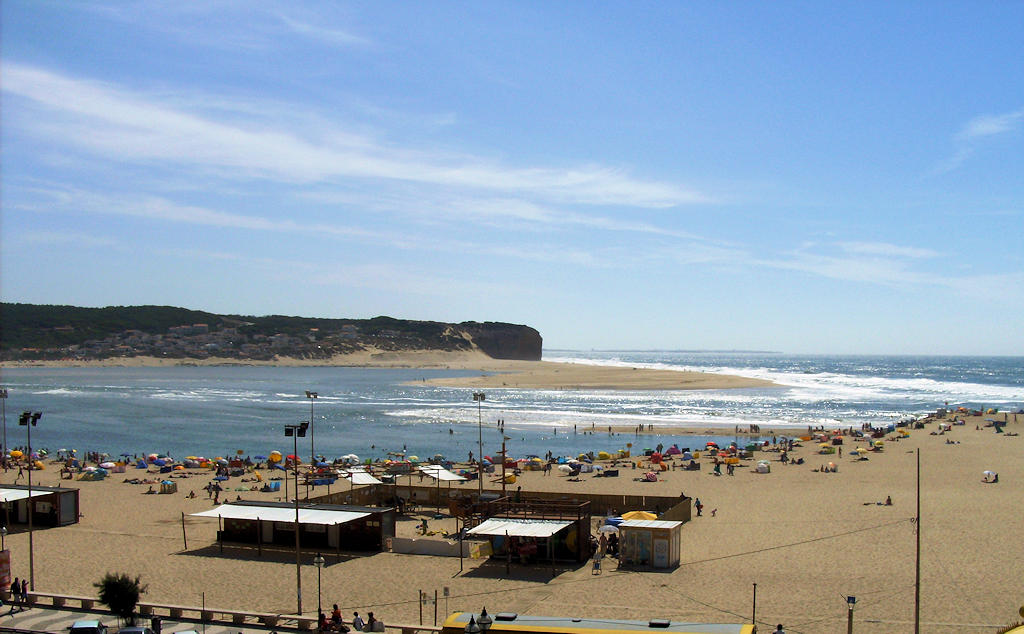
496, 373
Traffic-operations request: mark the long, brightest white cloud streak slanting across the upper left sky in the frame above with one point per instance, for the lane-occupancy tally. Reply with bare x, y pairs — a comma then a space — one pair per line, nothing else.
122, 125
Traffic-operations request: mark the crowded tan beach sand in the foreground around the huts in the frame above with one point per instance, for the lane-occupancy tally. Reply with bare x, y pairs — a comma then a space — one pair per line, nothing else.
806, 539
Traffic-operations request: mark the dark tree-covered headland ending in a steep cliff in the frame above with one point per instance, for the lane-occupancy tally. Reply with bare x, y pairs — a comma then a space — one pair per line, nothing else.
32, 332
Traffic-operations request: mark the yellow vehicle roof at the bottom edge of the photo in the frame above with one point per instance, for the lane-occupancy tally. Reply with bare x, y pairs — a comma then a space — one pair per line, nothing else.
511, 623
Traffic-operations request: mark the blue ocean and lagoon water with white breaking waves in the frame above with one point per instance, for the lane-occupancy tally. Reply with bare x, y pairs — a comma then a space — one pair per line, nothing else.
370, 412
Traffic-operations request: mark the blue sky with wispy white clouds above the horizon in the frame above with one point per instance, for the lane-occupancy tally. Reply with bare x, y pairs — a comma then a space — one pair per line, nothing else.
795, 177
